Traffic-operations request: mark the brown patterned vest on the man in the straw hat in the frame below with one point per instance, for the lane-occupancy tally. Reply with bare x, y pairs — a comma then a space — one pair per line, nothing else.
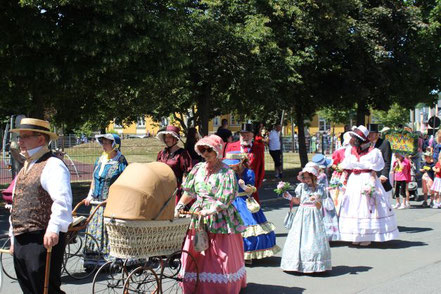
31, 207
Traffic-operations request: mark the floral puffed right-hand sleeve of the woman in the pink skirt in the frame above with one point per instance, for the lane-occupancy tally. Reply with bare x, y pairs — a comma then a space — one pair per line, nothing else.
227, 190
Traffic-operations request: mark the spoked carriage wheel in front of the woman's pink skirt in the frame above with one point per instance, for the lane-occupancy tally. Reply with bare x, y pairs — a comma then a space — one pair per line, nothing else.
173, 277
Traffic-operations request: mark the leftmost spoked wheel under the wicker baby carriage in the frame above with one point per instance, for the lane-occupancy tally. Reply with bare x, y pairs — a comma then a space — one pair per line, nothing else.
110, 277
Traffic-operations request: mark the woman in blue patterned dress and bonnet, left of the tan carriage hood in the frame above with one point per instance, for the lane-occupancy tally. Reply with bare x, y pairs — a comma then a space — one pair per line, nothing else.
107, 169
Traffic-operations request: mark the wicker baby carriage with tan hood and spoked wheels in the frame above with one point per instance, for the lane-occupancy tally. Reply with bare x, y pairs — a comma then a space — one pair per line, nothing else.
144, 237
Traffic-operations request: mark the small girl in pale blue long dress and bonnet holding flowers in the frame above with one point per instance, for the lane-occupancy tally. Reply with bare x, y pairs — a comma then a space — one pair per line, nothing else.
307, 248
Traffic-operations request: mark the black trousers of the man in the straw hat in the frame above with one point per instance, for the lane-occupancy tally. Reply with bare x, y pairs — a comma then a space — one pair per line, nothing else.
30, 263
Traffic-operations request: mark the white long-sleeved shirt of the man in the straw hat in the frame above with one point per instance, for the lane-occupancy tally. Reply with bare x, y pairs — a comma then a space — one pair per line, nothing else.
55, 179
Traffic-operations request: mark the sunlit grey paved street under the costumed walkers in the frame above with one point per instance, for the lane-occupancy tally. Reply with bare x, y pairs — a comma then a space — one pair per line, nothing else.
409, 265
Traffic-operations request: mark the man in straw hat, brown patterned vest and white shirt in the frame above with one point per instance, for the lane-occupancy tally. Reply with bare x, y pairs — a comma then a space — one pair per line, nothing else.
42, 209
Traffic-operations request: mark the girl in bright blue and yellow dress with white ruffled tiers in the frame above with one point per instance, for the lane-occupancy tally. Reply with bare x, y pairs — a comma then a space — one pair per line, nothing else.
259, 238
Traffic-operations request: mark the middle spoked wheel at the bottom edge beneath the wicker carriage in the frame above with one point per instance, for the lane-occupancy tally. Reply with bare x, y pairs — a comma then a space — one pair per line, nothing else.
142, 280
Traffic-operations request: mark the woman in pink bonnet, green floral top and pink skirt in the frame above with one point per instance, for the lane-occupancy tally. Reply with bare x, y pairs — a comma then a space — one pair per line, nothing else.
214, 186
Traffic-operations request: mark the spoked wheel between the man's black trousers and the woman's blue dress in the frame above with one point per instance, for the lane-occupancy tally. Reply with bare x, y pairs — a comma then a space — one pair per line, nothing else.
75, 262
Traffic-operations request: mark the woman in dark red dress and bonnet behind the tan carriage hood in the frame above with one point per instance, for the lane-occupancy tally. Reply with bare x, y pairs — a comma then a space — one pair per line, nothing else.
174, 156
